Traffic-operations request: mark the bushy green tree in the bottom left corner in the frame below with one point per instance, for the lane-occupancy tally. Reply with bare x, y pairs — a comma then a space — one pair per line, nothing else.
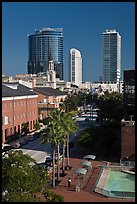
21, 177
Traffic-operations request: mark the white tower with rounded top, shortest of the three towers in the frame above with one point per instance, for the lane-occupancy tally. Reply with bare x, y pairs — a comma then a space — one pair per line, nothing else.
75, 67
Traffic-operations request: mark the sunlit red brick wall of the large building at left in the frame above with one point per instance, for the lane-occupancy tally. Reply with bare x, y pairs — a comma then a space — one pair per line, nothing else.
18, 111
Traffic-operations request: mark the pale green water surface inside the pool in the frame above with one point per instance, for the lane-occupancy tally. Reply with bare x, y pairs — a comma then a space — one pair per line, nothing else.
120, 181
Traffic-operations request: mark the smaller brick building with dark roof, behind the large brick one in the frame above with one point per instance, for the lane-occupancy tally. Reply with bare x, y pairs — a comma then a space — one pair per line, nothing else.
48, 99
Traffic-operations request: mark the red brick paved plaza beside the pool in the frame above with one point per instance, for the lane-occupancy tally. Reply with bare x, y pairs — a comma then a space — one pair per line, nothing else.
86, 193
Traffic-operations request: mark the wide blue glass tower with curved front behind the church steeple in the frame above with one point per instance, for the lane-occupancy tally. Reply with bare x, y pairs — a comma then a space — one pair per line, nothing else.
39, 46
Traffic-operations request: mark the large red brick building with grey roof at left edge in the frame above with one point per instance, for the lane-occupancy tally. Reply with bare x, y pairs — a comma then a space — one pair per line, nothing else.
19, 105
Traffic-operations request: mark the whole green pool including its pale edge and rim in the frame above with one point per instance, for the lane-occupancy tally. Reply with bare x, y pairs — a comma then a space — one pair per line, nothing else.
113, 182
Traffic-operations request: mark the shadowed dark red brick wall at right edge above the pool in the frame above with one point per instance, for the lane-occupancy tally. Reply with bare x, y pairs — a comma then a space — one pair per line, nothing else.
127, 140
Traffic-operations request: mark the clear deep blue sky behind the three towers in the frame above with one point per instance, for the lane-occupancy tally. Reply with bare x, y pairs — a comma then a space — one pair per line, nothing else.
83, 24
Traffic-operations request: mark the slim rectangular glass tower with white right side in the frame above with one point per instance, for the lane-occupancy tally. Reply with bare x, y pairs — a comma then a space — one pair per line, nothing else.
111, 56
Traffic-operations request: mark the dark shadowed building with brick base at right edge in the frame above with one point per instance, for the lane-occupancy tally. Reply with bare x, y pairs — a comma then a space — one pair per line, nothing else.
128, 123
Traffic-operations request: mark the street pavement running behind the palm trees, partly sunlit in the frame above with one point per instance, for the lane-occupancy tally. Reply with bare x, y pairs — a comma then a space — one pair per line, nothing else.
39, 151
